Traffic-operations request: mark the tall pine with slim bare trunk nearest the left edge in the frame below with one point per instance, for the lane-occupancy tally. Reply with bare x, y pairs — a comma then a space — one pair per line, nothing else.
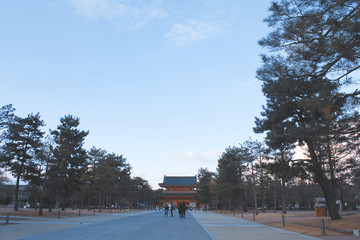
18, 154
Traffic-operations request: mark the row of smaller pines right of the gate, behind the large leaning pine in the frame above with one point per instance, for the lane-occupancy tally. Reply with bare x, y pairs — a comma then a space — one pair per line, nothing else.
252, 176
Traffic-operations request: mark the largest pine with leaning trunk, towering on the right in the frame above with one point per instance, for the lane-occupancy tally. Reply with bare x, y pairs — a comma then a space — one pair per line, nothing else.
318, 51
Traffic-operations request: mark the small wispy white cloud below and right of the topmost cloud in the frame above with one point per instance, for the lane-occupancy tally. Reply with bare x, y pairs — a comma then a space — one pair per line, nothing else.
192, 31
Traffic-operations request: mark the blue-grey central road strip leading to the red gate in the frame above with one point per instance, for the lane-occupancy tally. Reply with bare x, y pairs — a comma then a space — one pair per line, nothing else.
152, 225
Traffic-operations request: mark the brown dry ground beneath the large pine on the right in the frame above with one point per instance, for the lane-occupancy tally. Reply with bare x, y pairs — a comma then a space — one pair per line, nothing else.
294, 222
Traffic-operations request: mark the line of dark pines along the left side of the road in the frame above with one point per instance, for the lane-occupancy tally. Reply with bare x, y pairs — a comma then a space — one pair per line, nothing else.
60, 172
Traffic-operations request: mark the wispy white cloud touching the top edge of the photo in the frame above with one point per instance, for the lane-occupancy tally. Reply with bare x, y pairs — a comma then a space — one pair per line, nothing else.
118, 12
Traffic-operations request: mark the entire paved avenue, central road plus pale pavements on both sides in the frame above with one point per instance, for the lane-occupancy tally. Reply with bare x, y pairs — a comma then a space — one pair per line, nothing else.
146, 225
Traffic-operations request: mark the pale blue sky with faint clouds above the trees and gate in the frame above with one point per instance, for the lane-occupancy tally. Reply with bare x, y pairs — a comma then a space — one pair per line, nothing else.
167, 84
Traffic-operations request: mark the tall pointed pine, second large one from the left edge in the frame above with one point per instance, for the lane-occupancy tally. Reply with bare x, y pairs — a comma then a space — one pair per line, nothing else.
69, 162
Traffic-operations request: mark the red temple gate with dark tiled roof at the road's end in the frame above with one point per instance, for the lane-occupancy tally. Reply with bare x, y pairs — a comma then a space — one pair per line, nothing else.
178, 189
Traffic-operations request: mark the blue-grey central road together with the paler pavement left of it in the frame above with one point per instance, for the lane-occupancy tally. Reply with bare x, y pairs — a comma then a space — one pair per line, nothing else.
133, 225
